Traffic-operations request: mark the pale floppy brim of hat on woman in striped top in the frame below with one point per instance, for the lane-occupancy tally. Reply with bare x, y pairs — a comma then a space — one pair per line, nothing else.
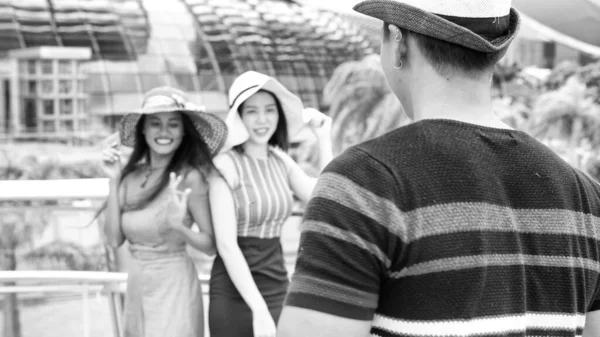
291, 104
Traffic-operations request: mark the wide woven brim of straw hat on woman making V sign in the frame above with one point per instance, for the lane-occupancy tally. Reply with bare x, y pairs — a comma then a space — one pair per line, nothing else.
211, 128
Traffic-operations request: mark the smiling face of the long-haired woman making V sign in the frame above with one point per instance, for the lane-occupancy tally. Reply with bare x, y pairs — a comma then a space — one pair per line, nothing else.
163, 132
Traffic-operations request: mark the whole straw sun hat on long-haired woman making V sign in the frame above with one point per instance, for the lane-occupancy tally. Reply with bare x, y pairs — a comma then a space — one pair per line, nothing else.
211, 128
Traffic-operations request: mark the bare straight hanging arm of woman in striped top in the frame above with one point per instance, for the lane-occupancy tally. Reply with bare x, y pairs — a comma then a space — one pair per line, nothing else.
225, 228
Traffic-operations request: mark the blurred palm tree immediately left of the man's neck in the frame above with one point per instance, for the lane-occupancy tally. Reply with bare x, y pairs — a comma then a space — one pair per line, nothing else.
361, 103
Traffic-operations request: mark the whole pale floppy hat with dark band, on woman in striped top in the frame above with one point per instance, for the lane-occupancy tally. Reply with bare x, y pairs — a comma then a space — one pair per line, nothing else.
248, 84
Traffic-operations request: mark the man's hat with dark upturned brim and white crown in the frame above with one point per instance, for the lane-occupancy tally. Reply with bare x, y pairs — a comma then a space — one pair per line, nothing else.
484, 25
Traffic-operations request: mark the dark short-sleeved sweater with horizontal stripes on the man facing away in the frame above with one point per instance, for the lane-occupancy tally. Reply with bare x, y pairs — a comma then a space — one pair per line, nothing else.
443, 228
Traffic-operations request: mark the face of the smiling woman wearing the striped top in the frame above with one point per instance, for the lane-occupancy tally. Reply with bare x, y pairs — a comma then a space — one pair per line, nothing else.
260, 116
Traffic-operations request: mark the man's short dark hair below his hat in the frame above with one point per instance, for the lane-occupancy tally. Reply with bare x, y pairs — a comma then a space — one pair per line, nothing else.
446, 57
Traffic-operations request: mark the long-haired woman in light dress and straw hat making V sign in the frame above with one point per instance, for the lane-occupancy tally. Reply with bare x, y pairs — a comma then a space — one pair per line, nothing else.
152, 204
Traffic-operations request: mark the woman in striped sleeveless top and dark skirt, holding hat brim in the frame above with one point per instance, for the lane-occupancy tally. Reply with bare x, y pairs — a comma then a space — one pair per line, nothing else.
253, 200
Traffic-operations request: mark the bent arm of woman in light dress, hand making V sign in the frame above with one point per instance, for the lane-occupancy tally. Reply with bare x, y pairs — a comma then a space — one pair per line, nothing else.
199, 208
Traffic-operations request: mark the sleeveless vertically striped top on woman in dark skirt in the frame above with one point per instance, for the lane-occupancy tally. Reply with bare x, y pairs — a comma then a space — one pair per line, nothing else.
263, 199
